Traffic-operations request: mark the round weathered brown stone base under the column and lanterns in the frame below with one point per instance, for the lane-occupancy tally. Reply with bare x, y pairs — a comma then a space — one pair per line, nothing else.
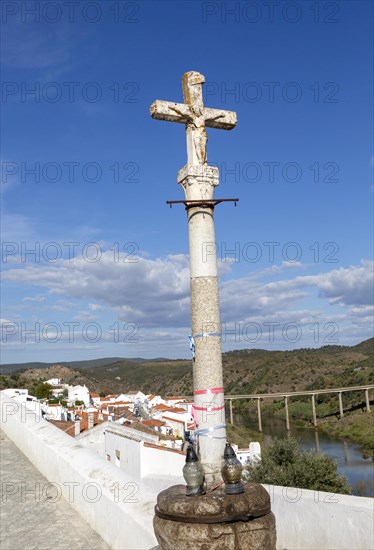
209, 522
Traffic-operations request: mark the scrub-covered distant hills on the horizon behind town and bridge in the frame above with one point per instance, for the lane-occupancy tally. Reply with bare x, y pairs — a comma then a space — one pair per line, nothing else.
244, 371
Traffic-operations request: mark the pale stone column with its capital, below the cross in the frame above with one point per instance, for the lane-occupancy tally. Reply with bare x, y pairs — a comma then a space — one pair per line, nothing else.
198, 183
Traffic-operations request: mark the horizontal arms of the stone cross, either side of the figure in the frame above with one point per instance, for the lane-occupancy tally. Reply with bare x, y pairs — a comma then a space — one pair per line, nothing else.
181, 112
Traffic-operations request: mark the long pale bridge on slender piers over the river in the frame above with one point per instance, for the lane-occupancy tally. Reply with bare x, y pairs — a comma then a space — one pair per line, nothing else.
287, 395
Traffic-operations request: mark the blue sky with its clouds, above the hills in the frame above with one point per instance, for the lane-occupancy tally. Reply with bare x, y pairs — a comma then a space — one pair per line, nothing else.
86, 173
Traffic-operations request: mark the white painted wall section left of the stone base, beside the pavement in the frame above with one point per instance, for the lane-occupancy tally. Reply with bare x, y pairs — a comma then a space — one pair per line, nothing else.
123, 512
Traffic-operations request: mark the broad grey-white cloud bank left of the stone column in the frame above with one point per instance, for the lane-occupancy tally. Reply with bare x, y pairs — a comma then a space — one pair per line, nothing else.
150, 291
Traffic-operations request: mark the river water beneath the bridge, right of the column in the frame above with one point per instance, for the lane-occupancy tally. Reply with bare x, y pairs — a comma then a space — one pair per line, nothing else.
358, 470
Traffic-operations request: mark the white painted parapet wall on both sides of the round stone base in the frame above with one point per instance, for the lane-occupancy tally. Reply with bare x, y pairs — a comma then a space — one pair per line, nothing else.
306, 520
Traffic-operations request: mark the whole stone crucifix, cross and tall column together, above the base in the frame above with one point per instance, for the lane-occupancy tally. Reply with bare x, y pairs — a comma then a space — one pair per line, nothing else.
198, 180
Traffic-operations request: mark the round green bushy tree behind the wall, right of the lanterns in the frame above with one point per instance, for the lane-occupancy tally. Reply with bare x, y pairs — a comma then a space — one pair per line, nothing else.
284, 463
